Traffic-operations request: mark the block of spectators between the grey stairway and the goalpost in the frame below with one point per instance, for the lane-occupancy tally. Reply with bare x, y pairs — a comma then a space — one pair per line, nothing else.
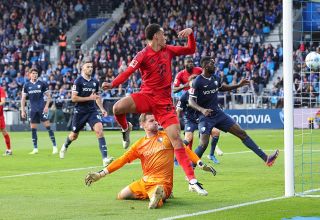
230, 31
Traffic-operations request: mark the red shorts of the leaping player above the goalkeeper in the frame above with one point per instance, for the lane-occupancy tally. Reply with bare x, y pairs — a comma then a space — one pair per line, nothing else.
162, 109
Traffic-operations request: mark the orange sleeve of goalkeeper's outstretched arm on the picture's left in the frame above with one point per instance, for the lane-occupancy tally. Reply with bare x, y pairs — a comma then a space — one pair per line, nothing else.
128, 157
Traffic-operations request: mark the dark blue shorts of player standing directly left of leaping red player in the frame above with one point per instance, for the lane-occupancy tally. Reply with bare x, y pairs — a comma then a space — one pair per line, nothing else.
79, 120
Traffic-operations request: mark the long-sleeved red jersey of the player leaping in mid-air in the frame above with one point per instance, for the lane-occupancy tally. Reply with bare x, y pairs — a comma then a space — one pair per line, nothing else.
155, 68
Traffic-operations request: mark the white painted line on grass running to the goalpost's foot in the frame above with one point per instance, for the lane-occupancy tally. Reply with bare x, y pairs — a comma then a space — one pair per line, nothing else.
223, 208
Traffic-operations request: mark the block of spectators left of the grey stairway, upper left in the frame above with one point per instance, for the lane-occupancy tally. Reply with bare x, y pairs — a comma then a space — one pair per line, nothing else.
26, 27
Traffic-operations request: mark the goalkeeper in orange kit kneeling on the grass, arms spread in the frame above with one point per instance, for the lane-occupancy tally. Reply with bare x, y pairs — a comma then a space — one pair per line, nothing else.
156, 154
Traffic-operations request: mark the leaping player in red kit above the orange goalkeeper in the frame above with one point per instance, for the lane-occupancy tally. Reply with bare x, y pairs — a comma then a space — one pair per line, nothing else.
154, 63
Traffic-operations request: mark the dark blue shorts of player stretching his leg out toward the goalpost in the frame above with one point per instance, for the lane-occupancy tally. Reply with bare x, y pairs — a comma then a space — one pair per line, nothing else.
219, 120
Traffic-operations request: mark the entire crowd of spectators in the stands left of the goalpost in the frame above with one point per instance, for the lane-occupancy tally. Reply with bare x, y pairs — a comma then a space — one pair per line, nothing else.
230, 31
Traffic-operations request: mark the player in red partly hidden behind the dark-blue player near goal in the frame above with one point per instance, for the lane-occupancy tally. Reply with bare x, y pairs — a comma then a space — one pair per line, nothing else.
181, 82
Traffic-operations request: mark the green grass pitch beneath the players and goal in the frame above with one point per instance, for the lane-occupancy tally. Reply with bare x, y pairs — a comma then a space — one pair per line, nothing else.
54, 188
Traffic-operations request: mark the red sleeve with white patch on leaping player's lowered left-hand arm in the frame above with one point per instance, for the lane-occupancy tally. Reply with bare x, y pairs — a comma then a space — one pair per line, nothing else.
133, 66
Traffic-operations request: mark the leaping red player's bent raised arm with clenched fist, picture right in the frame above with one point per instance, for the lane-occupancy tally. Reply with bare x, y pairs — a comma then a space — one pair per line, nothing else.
184, 50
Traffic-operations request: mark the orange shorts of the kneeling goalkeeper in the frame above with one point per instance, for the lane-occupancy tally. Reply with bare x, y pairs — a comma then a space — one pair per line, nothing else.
143, 190
